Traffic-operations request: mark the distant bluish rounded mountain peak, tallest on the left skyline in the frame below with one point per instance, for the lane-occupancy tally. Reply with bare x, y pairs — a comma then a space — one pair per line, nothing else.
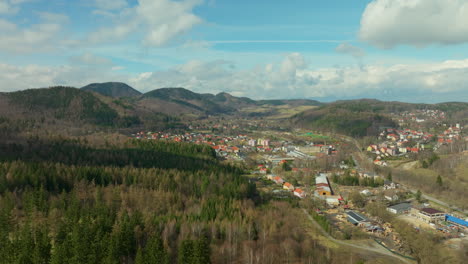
112, 89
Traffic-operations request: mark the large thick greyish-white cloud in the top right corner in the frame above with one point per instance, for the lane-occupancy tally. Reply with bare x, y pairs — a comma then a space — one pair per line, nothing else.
388, 23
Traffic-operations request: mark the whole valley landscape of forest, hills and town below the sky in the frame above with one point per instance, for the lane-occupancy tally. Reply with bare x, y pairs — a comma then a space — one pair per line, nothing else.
105, 174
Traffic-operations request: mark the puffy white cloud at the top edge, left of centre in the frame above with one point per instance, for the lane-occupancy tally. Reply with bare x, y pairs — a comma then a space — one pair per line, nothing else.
160, 21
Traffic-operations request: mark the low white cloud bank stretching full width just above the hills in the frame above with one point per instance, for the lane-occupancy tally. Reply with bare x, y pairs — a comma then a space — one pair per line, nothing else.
289, 78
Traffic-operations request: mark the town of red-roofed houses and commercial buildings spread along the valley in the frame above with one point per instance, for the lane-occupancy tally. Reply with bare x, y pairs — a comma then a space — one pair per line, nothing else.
322, 170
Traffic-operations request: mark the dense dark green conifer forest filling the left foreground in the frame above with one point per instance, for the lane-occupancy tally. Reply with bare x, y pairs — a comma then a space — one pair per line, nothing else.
65, 202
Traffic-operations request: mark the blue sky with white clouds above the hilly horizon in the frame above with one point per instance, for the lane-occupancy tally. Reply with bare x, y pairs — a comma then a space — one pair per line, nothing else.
403, 50
